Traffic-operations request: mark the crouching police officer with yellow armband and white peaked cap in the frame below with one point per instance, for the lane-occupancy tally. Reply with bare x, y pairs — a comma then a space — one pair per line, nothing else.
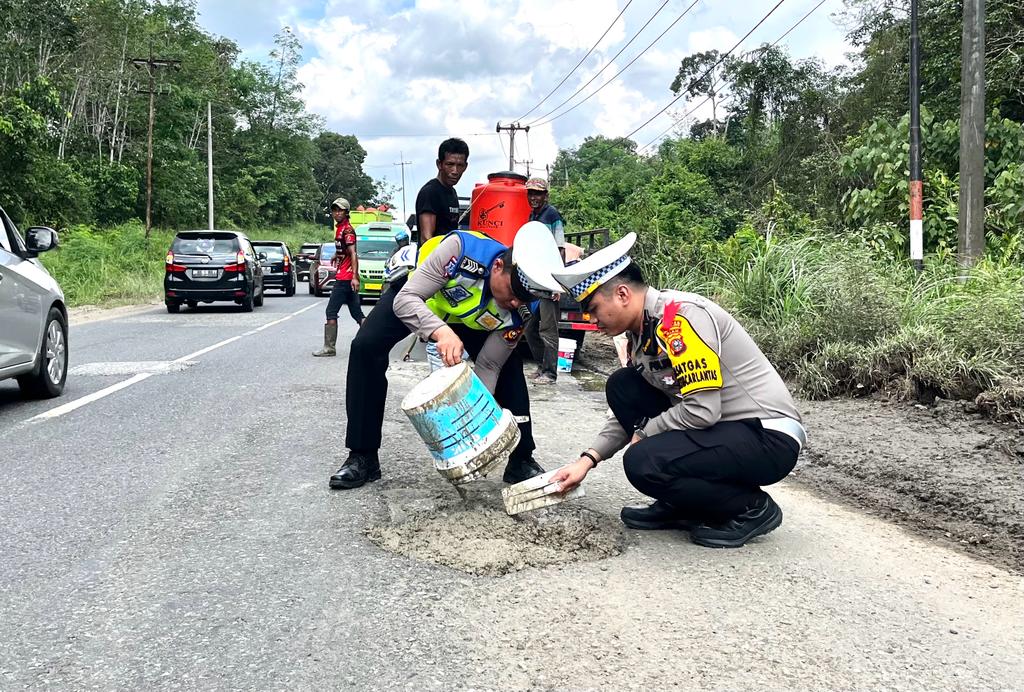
708, 419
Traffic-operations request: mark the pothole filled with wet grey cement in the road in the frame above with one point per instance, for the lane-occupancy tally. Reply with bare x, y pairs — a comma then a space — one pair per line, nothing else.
476, 536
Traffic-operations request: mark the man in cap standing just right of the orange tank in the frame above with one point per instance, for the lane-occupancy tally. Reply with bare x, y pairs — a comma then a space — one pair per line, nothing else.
542, 334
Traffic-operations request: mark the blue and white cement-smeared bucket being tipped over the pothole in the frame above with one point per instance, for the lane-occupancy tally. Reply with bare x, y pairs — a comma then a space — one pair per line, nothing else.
467, 434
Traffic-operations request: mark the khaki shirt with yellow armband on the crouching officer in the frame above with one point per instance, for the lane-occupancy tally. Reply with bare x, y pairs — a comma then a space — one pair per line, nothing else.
703, 360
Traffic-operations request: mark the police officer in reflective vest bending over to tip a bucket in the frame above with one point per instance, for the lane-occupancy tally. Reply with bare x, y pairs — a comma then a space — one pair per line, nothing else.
468, 291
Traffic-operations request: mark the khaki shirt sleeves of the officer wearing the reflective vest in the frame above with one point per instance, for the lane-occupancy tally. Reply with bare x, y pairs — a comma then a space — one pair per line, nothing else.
411, 309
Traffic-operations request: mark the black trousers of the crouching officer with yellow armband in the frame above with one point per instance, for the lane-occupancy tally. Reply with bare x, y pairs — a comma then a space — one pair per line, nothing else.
708, 474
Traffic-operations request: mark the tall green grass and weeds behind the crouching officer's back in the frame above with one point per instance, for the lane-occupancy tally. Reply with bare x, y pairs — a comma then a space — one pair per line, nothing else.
839, 320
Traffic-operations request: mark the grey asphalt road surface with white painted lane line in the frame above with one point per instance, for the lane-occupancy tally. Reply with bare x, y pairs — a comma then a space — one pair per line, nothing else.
167, 525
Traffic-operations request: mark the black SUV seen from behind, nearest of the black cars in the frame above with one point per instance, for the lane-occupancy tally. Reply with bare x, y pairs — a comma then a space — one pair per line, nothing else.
208, 266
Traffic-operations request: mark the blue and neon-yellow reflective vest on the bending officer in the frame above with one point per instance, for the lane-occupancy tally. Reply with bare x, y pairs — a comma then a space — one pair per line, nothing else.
466, 298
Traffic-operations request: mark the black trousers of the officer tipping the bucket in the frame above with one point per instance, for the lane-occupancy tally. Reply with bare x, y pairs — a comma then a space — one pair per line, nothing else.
366, 385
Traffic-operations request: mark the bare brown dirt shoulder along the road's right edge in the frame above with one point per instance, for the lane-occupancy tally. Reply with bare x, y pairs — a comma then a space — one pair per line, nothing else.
945, 471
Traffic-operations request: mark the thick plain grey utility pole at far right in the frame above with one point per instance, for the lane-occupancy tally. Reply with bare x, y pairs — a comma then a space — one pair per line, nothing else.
971, 237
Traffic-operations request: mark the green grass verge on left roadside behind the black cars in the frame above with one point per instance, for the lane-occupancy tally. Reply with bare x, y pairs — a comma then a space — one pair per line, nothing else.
116, 267
